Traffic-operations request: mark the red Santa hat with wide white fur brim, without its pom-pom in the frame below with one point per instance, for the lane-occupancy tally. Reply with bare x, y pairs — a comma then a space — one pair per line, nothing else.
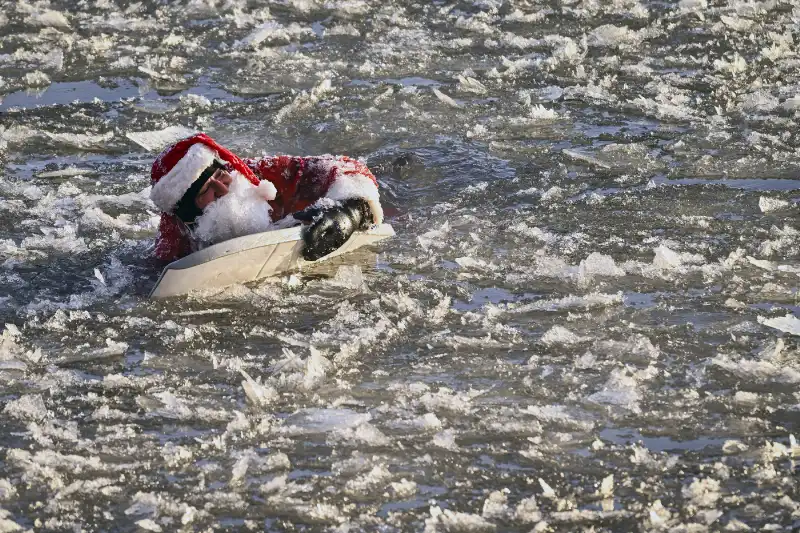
180, 165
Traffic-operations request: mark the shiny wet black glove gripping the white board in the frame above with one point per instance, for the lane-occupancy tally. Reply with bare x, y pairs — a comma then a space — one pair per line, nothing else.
331, 226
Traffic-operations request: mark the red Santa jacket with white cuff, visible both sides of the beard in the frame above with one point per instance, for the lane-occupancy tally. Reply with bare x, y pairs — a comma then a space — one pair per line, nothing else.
300, 182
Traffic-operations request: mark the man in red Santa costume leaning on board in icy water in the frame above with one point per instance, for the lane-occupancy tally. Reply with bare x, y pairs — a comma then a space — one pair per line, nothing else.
208, 194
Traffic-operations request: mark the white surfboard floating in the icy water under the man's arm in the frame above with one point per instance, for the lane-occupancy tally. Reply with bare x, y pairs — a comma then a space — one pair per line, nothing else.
249, 258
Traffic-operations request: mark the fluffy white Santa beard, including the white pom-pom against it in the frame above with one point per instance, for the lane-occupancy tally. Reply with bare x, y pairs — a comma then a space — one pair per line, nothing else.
243, 211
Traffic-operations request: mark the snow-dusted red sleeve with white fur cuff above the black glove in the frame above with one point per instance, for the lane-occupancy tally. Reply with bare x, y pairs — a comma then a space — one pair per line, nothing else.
302, 181
